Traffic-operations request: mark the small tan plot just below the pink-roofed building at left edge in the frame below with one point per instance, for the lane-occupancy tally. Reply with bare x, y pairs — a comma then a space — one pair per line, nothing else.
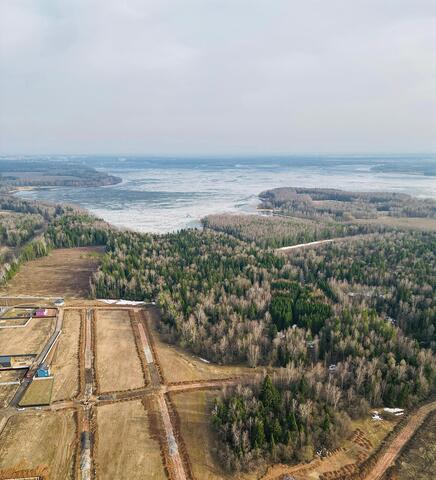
29, 339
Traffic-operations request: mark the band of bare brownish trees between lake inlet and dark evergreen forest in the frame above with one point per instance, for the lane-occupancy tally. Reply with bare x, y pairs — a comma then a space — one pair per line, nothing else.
276, 232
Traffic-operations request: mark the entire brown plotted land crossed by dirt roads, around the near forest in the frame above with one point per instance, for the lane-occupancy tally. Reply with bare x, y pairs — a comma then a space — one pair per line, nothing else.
89, 390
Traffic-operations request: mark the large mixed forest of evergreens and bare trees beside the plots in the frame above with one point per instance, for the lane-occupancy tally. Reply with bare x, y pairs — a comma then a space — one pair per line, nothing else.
339, 329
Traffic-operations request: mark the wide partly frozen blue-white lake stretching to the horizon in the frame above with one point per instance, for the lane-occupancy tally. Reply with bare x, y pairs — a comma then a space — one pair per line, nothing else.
167, 194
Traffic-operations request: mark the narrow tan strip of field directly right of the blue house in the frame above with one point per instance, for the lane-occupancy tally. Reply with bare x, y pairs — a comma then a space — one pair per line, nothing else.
65, 360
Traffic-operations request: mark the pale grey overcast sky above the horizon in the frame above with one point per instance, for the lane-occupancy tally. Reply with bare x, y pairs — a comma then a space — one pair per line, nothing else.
217, 76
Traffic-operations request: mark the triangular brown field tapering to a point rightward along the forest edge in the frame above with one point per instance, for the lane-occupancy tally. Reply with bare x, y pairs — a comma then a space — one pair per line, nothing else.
180, 366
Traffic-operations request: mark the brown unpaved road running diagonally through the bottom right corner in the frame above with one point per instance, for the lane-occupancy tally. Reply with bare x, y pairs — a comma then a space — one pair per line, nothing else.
394, 449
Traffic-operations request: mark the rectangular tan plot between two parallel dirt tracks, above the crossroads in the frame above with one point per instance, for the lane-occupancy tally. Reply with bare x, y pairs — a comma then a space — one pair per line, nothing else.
118, 363
